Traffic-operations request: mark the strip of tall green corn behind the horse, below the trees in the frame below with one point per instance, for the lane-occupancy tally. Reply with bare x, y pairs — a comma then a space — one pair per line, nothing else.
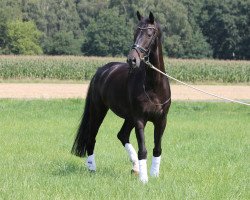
79, 68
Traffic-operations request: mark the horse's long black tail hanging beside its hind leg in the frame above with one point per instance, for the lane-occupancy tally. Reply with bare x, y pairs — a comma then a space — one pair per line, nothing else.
82, 136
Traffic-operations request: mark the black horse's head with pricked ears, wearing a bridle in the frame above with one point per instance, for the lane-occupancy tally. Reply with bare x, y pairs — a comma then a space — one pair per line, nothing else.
146, 33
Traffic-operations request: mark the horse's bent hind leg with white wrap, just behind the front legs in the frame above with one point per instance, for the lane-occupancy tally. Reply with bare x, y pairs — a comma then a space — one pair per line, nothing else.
123, 136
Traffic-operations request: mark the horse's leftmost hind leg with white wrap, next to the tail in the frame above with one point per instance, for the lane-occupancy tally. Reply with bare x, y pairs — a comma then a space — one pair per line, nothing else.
96, 118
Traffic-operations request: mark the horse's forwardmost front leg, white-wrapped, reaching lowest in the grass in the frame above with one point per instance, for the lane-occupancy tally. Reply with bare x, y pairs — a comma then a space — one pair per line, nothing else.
142, 152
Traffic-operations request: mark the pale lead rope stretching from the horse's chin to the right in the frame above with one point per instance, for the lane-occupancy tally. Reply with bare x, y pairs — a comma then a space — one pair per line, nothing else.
190, 86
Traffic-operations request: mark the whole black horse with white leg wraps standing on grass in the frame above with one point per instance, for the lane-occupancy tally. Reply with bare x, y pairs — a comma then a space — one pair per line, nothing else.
134, 92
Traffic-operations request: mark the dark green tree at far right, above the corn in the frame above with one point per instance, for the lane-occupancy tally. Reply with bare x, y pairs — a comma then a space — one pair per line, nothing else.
226, 25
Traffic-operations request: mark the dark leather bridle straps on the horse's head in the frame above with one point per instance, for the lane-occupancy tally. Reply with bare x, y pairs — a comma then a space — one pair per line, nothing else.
139, 48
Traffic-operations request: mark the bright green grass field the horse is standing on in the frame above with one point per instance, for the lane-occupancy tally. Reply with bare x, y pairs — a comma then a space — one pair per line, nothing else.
206, 154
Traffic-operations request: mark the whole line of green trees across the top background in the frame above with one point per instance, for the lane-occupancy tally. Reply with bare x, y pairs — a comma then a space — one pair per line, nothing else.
191, 28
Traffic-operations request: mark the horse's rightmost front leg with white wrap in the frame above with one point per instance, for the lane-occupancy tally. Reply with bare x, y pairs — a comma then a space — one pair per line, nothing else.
156, 160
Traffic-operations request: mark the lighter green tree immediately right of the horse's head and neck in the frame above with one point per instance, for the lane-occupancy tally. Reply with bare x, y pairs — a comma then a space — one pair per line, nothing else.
182, 38
